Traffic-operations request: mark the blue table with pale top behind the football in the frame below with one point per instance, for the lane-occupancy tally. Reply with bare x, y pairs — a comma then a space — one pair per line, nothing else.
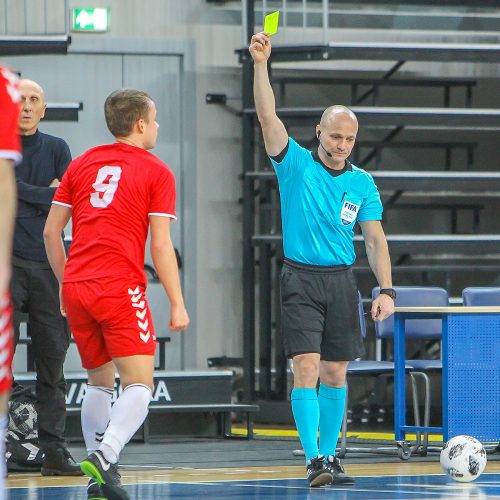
471, 371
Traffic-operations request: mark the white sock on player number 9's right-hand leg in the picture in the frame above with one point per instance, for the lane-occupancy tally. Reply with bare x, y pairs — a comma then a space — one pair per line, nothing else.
127, 415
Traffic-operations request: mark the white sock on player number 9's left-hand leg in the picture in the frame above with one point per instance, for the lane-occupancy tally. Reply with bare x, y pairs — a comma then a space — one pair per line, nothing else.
95, 415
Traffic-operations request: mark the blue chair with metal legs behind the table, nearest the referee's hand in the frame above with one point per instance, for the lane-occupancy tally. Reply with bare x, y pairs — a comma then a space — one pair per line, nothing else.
418, 329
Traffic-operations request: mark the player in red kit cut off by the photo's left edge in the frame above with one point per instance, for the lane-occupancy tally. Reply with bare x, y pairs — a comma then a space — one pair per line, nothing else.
10, 153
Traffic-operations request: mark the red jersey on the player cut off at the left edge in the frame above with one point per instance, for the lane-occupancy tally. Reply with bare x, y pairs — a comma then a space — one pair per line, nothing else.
10, 145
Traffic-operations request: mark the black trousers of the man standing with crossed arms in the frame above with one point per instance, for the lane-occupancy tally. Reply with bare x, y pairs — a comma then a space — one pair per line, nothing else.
35, 291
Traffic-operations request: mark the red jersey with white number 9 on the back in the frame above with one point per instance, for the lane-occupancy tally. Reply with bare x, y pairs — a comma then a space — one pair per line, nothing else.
112, 190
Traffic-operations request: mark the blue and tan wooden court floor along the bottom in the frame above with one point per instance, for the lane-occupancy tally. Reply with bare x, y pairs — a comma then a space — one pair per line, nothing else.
398, 480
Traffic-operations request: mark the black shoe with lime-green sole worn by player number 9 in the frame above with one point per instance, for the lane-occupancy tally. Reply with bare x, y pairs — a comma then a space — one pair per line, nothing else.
106, 475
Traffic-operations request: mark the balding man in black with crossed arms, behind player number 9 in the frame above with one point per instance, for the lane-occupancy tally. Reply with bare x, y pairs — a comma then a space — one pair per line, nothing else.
34, 288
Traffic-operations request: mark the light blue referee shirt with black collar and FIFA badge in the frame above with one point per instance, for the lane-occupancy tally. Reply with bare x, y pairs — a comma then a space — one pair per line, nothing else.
319, 209
